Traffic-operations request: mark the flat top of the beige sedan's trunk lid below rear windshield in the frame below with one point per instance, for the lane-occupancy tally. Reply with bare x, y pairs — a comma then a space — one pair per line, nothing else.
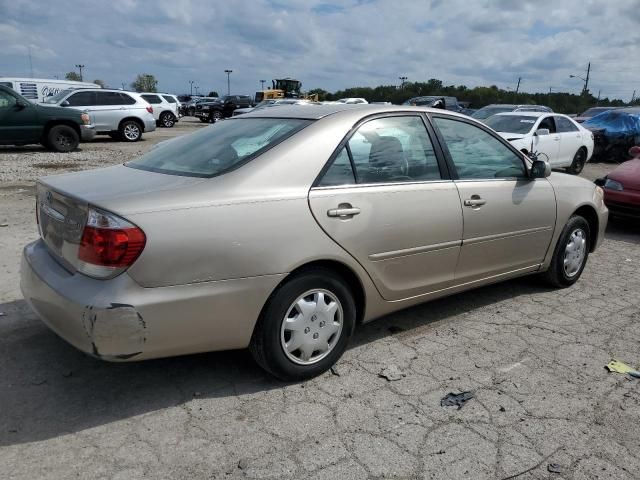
126, 190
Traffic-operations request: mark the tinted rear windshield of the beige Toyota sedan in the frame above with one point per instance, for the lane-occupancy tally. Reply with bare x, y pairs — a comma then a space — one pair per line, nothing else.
219, 148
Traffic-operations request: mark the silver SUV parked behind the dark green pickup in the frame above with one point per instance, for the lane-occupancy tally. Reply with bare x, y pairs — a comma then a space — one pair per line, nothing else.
119, 114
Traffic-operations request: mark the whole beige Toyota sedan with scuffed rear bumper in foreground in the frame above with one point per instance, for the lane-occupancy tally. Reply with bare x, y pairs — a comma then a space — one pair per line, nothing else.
221, 240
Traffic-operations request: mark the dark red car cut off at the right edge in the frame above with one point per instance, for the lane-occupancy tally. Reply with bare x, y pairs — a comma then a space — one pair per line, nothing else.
622, 187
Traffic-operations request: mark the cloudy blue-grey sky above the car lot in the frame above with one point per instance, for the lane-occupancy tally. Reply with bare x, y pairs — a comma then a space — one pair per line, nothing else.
331, 44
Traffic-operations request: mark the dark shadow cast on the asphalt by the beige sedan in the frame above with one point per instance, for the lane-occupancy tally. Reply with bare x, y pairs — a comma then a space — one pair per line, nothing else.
49, 388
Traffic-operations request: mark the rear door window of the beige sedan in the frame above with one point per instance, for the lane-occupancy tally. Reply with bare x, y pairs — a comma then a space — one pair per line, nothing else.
393, 149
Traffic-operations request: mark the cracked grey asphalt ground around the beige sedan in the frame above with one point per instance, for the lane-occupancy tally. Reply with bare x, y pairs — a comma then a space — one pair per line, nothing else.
533, 357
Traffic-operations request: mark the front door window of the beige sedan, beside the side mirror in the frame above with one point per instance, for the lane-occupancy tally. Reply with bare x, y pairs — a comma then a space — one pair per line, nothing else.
476, 154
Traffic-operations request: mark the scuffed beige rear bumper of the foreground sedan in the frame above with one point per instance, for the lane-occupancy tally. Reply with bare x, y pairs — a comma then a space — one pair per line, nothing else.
118, 320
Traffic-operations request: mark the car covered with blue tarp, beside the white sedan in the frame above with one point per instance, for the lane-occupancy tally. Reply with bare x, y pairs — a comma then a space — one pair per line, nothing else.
615, 132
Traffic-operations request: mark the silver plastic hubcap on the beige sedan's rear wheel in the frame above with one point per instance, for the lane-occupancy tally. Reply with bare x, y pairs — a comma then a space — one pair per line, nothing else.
312, 327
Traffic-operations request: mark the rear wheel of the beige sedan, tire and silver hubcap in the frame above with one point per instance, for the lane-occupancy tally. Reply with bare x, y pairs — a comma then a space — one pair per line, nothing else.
334, 305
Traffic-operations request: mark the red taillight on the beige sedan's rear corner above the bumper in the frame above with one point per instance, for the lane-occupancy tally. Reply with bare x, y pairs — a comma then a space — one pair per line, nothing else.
110, 247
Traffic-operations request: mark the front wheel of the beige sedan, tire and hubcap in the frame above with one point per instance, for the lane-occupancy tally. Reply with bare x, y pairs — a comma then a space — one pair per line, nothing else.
577, 233
